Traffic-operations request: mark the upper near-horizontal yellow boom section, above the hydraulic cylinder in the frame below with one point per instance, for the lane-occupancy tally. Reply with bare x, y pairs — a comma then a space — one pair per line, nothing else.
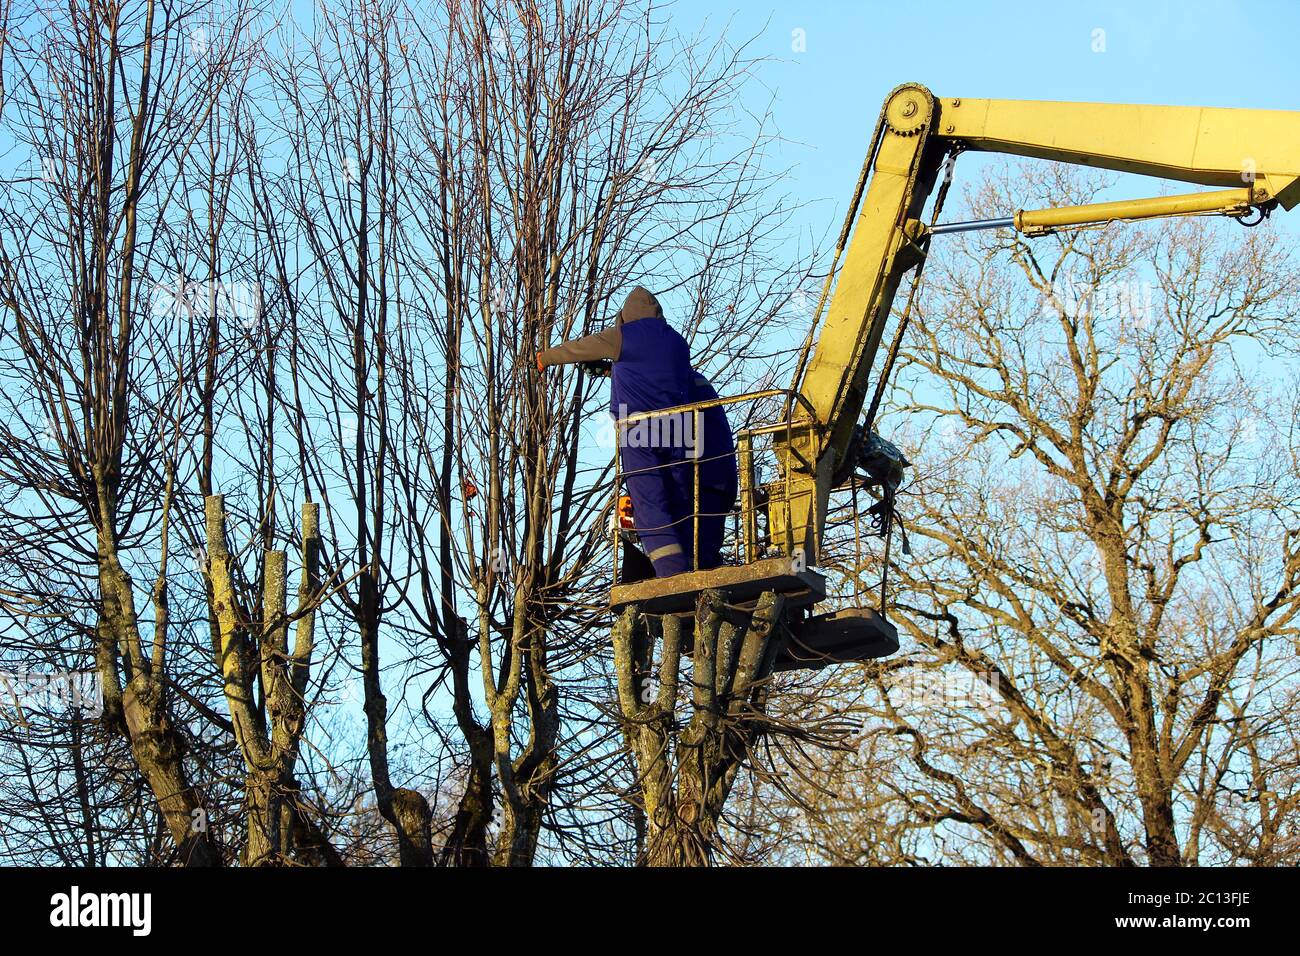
1202, 145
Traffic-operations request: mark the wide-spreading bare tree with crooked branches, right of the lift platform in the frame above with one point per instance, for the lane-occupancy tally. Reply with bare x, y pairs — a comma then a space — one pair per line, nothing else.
1100, 603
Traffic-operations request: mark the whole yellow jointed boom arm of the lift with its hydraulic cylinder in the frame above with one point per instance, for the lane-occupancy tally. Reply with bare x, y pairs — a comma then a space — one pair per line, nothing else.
1253, 153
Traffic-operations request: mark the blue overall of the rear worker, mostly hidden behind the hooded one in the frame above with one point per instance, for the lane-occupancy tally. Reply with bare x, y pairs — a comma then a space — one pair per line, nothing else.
716, 458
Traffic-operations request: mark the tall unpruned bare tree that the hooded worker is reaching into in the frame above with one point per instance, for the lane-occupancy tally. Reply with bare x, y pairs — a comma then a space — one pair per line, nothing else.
551, 178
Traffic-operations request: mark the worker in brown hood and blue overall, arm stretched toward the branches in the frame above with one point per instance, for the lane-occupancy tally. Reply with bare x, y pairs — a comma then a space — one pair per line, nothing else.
651, 373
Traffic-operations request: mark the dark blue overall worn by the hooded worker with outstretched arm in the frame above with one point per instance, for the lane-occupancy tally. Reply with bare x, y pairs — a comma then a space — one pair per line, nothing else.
653, 371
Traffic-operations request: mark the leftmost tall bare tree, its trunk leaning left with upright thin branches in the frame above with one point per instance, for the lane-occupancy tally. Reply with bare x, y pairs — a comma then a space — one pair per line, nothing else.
106, 102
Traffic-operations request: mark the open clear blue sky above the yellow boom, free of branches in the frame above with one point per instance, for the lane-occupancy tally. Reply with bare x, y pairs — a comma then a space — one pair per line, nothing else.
826, 100
